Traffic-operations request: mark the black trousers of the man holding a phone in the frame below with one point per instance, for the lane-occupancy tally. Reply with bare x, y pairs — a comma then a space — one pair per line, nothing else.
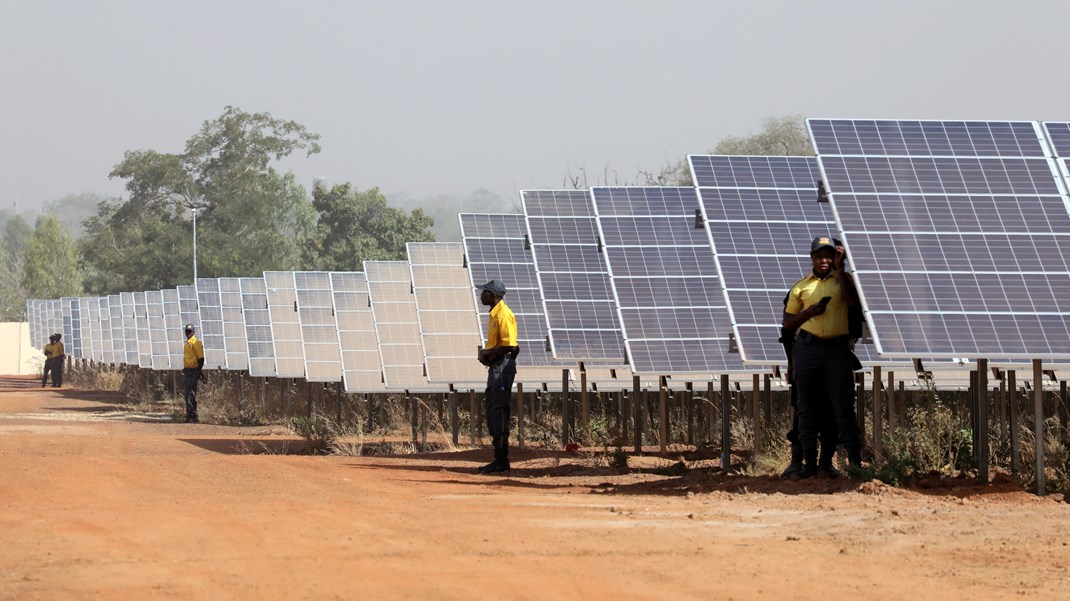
823, 375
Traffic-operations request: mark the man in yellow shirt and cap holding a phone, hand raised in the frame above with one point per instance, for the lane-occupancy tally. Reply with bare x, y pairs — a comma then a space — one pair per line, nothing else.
822, 362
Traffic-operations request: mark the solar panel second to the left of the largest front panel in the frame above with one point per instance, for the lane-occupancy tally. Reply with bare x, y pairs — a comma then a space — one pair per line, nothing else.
664, 276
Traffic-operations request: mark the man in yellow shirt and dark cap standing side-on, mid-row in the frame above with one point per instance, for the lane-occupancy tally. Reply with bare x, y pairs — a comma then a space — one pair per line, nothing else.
500, 356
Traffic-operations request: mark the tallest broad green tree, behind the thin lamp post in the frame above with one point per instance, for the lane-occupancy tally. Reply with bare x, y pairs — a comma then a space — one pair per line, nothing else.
251, 219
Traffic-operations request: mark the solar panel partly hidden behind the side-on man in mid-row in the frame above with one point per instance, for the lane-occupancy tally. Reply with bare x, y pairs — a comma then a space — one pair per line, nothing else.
495, 246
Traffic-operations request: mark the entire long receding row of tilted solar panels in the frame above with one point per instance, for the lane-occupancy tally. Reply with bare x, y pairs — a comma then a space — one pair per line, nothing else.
957, 234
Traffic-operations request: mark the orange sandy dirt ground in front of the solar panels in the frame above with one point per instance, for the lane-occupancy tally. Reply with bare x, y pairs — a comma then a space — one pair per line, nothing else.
101, 503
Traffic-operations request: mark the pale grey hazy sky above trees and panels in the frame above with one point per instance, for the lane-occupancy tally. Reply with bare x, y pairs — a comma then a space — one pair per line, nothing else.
446, 98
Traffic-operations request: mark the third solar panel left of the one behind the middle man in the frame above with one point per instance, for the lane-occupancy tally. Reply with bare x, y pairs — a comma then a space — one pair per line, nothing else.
362, 365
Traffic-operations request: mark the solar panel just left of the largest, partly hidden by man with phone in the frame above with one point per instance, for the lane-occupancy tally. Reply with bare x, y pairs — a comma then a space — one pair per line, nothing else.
761, 214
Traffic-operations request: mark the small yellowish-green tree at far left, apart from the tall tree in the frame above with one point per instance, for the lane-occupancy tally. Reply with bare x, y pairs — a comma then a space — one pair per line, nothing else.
52, 264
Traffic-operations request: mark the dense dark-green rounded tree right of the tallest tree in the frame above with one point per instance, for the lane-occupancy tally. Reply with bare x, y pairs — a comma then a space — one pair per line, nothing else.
358, 226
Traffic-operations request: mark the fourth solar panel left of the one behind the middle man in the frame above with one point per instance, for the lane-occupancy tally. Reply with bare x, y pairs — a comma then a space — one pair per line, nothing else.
318, 328
